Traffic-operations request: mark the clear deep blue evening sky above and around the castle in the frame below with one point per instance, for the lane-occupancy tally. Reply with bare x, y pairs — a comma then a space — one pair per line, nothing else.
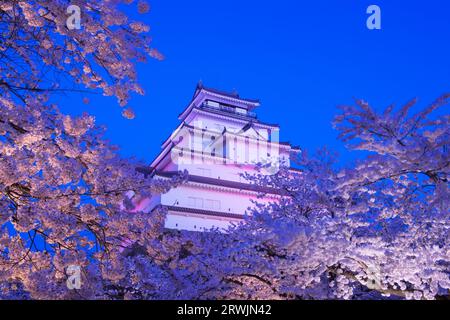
300, 58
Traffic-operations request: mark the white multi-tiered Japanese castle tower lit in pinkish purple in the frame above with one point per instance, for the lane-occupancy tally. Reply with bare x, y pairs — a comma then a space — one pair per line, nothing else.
219, 138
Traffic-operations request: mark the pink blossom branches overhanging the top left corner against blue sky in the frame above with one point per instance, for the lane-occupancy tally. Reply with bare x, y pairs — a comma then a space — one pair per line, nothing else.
41, 53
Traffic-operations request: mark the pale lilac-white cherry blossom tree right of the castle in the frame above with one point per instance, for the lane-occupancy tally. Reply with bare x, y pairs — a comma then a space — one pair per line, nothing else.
378, 229
